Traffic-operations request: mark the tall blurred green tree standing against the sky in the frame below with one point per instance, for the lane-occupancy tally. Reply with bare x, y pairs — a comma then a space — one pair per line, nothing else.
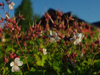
25, 9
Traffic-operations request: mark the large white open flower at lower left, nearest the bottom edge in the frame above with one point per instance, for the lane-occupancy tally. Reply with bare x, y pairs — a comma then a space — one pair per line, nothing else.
14, 64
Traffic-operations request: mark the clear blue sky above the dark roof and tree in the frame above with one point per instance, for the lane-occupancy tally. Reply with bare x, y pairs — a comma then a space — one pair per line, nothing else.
88, 10
